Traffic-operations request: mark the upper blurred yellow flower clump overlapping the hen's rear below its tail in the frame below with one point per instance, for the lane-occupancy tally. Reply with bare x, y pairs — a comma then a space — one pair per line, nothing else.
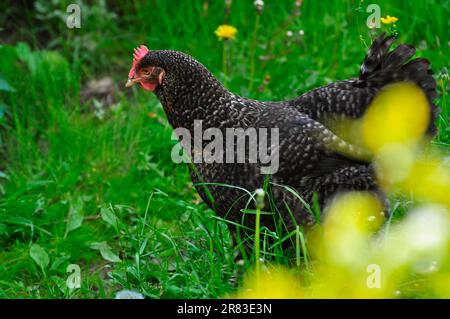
392, 129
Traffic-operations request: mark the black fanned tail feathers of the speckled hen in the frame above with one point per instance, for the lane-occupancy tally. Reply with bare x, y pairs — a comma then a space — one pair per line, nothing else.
381, 67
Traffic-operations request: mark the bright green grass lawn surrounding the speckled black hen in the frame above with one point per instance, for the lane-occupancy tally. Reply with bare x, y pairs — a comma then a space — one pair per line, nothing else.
70, 179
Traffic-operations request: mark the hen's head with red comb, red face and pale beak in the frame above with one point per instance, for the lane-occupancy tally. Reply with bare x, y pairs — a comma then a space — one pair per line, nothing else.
141, 72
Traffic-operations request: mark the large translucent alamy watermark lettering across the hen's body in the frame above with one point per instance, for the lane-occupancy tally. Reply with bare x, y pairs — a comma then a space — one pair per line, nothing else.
230, 145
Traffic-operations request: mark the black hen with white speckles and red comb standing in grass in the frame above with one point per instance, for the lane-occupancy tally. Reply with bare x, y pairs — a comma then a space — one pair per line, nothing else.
313, 159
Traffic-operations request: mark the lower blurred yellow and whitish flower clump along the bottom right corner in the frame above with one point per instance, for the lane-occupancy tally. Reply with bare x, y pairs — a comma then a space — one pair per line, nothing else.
353, 259
